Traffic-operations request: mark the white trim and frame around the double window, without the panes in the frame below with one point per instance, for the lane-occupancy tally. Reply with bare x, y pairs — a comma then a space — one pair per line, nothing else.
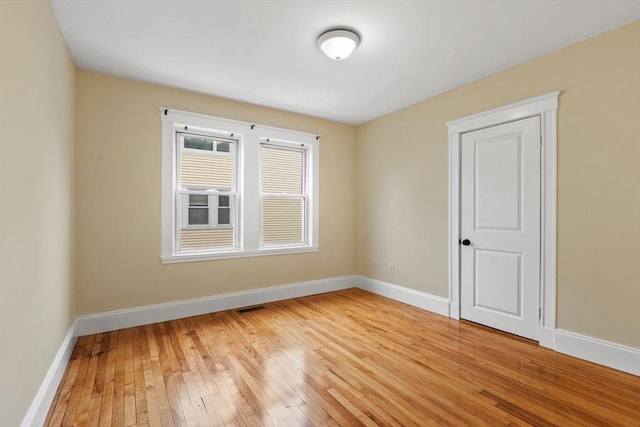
248, 138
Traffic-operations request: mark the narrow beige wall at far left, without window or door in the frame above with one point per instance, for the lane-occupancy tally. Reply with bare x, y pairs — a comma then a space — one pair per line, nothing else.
36, 200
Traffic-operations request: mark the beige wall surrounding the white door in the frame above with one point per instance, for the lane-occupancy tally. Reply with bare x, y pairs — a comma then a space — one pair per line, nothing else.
402, 182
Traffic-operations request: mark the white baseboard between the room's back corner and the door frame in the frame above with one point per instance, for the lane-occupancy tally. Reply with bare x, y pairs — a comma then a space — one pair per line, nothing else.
419, 299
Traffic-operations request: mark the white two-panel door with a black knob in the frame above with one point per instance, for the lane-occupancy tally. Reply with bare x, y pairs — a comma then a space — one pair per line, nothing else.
500, 227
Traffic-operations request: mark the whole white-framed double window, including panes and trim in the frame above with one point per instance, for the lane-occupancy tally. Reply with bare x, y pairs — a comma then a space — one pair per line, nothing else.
232, 189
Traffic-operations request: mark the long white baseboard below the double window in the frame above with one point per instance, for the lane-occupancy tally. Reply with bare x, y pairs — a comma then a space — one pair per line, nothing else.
120, 319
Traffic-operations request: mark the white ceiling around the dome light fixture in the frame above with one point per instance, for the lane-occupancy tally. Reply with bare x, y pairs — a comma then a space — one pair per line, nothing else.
264, 51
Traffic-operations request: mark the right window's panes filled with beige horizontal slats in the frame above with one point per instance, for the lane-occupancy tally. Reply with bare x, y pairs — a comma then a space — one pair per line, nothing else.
283, 195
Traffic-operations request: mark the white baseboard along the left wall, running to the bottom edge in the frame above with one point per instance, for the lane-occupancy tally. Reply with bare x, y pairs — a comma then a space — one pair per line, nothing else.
39, 408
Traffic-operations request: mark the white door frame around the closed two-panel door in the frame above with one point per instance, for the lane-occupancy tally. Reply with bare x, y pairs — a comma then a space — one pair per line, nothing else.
546, 107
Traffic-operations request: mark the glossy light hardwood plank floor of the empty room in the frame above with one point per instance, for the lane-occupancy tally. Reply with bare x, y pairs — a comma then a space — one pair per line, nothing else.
344, 358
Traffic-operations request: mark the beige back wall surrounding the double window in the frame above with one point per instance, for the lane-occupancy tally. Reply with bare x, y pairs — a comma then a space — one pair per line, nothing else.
118, 192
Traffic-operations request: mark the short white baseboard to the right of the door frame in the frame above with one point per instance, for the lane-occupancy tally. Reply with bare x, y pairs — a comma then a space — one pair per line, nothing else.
616, 356
